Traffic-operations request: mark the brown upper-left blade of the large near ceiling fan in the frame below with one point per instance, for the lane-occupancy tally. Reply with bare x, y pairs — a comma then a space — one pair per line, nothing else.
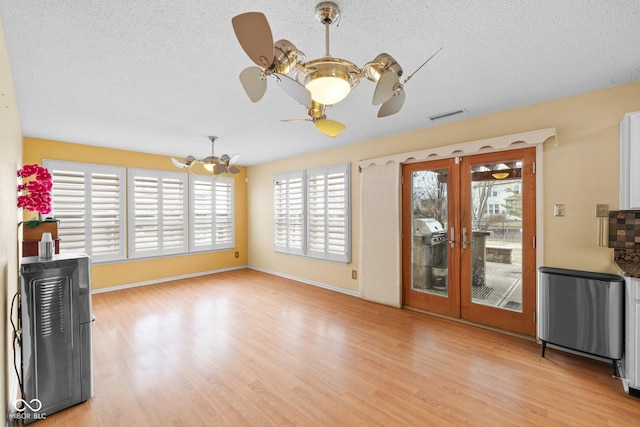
254, 34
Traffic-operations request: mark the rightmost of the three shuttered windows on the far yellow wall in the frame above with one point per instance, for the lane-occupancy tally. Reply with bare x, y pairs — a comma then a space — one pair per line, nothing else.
212, 218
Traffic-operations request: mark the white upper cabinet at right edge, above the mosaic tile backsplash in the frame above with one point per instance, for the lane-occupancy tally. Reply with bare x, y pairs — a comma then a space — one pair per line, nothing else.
630, 161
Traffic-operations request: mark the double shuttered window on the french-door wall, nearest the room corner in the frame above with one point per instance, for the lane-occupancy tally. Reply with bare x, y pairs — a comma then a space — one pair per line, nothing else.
312, 213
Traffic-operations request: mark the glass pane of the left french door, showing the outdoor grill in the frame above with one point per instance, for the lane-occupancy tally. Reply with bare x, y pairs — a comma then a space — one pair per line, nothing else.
429, 216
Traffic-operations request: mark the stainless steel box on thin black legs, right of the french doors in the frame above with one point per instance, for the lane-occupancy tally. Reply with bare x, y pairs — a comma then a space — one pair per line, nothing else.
582, 311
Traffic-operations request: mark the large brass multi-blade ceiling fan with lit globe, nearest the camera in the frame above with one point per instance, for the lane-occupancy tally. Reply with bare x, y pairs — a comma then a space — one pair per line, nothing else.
317, 83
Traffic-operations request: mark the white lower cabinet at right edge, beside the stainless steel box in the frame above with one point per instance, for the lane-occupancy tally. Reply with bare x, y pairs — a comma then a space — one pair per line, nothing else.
631, 361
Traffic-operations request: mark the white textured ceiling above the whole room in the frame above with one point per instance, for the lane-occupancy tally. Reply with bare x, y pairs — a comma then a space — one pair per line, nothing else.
159, 76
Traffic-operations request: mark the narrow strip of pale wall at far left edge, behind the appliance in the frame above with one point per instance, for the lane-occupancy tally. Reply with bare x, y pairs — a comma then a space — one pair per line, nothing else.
10, 162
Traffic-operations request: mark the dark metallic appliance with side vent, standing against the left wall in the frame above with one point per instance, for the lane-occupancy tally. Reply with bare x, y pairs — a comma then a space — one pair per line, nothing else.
56, 318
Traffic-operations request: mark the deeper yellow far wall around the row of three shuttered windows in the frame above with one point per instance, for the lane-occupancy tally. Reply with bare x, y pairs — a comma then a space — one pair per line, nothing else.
141, 271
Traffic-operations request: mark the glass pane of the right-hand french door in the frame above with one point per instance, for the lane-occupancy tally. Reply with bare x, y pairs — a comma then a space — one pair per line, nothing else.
496, 235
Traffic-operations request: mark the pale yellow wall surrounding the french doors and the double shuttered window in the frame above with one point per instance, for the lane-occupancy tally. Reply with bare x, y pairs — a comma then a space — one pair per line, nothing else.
581, 169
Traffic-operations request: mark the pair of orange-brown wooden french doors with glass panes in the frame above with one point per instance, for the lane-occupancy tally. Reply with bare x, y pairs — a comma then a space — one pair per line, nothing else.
469, 238
